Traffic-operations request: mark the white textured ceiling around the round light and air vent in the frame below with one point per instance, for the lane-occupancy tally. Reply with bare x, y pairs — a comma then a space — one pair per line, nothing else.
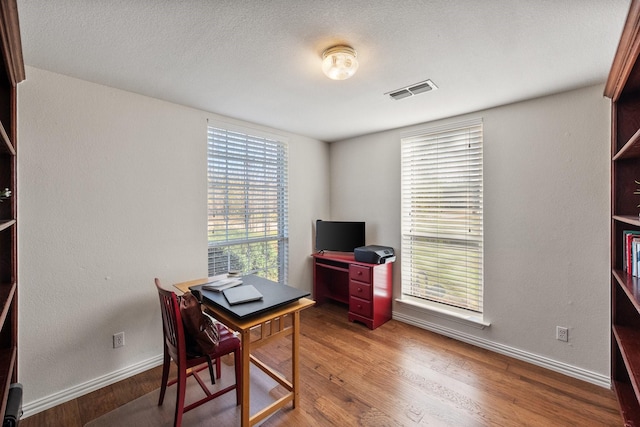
259, 60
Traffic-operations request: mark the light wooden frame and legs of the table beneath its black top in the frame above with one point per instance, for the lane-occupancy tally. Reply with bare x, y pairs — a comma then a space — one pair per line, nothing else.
272, 325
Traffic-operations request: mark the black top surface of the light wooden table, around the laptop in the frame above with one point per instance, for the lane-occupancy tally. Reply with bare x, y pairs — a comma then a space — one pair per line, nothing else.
273, 295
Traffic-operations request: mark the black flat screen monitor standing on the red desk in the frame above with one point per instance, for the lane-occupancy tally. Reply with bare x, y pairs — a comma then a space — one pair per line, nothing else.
339, 236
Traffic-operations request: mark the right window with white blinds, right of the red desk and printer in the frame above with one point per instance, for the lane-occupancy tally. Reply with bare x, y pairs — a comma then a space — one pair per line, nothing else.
442, 238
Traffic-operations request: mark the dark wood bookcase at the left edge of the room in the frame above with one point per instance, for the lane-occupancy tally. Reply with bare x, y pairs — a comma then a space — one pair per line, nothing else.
11, 73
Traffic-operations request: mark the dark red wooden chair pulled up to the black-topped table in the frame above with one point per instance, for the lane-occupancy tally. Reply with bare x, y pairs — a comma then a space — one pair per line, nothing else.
175, 348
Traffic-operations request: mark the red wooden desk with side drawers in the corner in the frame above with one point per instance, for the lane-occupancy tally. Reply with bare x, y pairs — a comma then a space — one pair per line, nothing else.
366, 288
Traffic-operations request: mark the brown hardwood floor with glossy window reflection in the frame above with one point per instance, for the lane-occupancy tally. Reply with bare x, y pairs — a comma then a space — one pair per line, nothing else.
397, 375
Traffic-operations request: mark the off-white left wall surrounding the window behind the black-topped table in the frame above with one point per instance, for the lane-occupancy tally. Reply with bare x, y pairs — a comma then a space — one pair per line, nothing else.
112, 193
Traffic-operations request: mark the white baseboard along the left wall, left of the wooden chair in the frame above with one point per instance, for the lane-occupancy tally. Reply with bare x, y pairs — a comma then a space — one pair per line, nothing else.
39, 405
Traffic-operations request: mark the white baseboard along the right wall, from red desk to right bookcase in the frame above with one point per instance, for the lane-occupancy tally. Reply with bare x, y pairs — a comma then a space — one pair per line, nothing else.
544, 362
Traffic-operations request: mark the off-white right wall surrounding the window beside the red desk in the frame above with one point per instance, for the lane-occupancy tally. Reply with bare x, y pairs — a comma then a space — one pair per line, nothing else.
546, 222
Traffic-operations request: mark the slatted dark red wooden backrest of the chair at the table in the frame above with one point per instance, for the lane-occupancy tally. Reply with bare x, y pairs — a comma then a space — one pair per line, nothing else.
174, 339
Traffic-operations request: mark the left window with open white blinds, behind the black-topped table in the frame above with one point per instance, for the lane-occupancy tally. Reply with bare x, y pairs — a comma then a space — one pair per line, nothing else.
247, 203
